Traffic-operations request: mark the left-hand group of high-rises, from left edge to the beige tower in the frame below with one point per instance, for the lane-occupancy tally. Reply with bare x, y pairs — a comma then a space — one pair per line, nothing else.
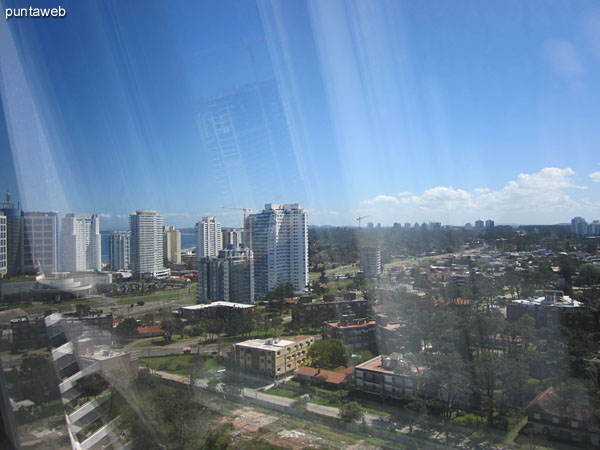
33, 242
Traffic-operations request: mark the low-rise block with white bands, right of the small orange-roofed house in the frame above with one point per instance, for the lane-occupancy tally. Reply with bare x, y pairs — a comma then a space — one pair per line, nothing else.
388, 376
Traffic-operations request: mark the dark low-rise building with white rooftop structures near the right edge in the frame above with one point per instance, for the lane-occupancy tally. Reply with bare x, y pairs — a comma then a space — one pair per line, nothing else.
552, 309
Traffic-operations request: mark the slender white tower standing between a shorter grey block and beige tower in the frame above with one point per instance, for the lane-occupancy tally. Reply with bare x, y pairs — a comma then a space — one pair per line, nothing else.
147, 245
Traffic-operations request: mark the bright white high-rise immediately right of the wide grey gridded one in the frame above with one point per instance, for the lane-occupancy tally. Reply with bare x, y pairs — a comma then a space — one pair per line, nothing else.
80, 243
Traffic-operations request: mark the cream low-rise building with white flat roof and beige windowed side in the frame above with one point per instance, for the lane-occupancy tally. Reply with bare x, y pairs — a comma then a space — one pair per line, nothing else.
273, 358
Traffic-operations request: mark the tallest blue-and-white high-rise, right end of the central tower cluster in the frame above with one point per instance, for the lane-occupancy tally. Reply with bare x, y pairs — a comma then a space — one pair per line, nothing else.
278, 236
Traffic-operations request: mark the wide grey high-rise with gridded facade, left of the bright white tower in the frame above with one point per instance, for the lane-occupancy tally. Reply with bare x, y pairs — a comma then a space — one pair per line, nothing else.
40, 242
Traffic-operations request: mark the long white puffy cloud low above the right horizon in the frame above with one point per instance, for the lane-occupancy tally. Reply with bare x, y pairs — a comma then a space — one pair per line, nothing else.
530, 198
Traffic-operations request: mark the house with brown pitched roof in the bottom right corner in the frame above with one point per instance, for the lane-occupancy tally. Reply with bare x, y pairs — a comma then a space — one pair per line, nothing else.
555, 417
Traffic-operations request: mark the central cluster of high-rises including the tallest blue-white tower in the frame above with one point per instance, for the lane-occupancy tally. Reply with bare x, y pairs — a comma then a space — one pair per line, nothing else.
271, 251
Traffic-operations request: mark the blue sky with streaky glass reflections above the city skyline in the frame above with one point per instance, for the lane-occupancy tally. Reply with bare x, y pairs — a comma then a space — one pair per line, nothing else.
398, 110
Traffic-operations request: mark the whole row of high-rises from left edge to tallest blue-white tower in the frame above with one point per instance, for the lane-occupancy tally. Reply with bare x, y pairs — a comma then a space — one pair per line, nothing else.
233, 265
